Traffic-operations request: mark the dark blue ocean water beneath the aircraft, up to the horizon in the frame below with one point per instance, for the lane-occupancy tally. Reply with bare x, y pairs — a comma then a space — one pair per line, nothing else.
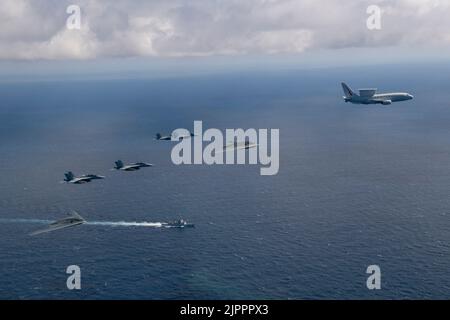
357, 186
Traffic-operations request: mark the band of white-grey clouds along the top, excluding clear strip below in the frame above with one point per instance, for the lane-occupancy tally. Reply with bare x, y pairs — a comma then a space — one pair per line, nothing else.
36, 29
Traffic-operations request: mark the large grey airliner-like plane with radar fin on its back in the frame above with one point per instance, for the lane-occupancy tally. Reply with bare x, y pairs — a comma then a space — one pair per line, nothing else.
370, 96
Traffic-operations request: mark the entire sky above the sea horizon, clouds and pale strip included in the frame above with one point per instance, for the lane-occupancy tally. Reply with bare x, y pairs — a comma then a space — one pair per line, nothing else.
118, 34
